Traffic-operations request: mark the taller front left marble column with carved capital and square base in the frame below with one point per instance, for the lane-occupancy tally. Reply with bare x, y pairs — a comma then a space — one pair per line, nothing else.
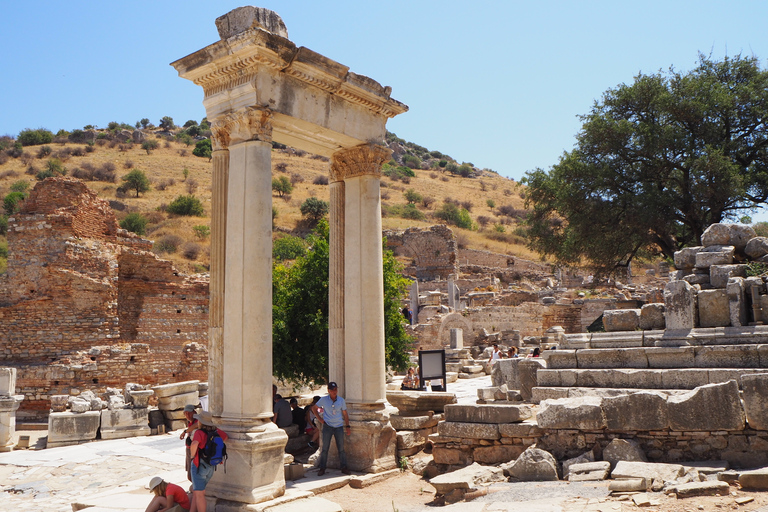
255, 445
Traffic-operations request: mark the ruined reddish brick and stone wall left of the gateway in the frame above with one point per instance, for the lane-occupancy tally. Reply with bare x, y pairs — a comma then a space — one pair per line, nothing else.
86, 305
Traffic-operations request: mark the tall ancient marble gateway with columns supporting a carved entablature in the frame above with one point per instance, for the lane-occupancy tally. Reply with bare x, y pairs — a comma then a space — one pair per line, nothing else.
260, 87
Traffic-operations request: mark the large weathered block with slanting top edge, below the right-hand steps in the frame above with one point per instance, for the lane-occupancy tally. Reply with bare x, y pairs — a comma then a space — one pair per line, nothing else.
709, 407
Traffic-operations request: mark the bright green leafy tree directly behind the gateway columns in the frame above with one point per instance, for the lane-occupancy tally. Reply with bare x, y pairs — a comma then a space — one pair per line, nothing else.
300, 314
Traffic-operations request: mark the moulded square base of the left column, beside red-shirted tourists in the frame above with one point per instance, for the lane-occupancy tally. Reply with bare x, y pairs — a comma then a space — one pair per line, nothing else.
254, 466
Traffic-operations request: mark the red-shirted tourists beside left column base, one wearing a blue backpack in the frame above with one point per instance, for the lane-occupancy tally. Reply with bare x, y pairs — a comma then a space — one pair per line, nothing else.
199, 429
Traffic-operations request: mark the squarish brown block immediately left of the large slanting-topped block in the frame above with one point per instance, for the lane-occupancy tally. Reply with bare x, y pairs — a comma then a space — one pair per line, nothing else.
646, 410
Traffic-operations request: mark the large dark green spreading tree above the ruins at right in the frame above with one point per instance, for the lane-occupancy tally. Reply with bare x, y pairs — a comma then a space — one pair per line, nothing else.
655, 163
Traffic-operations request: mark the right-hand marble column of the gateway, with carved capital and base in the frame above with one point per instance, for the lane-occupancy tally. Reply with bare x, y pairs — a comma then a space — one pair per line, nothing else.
371, 446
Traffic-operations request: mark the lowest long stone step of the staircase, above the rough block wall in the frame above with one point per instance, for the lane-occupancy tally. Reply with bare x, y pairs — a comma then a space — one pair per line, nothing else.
680, 378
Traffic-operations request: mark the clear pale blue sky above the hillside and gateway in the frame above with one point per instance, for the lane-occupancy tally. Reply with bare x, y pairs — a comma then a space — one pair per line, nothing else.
499, 84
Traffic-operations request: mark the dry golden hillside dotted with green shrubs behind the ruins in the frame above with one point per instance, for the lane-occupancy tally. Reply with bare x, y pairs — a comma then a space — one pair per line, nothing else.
493, 203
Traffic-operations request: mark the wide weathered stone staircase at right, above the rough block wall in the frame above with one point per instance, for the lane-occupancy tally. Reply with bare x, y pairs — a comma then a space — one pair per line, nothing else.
672, 361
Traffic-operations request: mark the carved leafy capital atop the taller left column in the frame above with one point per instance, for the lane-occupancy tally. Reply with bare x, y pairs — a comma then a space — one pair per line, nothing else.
250, 123
